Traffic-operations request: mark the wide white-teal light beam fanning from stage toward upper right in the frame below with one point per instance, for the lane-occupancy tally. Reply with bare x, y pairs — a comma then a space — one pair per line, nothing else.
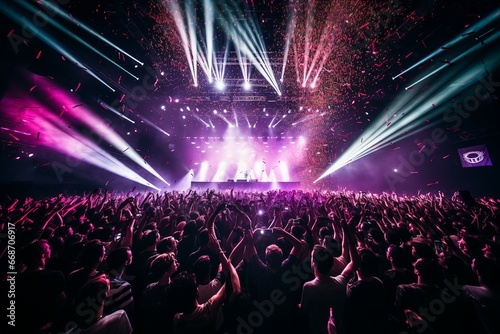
429, 104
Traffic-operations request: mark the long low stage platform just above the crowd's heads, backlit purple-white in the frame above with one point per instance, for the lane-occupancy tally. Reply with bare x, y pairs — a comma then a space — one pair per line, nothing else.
244, 185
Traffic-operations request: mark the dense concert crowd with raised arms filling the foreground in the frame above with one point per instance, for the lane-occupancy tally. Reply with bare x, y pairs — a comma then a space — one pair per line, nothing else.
253, 262
